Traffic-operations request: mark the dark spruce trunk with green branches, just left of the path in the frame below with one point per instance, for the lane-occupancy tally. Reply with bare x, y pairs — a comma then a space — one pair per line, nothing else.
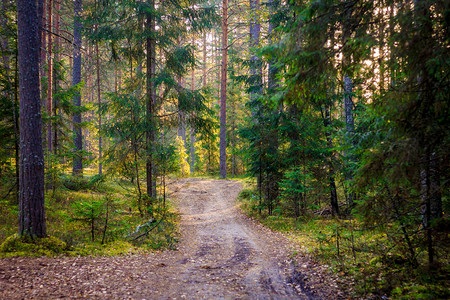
150, 26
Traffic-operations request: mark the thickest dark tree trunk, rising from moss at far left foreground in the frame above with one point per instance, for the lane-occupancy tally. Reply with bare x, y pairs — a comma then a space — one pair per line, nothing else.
31, 205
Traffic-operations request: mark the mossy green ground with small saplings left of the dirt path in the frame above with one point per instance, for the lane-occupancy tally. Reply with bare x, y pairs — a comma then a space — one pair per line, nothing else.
72, 232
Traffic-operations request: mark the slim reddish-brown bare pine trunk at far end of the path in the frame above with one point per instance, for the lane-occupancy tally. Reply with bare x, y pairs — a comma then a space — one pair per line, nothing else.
223, 93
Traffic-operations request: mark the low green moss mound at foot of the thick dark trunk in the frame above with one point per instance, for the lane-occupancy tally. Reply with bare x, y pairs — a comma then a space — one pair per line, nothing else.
25, 246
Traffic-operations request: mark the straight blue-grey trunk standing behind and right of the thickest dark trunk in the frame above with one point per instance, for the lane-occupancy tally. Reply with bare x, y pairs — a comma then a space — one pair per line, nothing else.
76, 79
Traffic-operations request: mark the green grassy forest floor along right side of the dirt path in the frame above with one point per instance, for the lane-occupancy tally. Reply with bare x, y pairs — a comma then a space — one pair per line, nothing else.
368, 262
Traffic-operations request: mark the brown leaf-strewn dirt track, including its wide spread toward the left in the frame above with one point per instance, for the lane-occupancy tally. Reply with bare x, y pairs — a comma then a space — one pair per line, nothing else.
221, 255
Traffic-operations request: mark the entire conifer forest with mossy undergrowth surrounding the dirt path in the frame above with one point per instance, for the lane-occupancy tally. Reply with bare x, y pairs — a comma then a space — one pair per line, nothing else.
334, 116
